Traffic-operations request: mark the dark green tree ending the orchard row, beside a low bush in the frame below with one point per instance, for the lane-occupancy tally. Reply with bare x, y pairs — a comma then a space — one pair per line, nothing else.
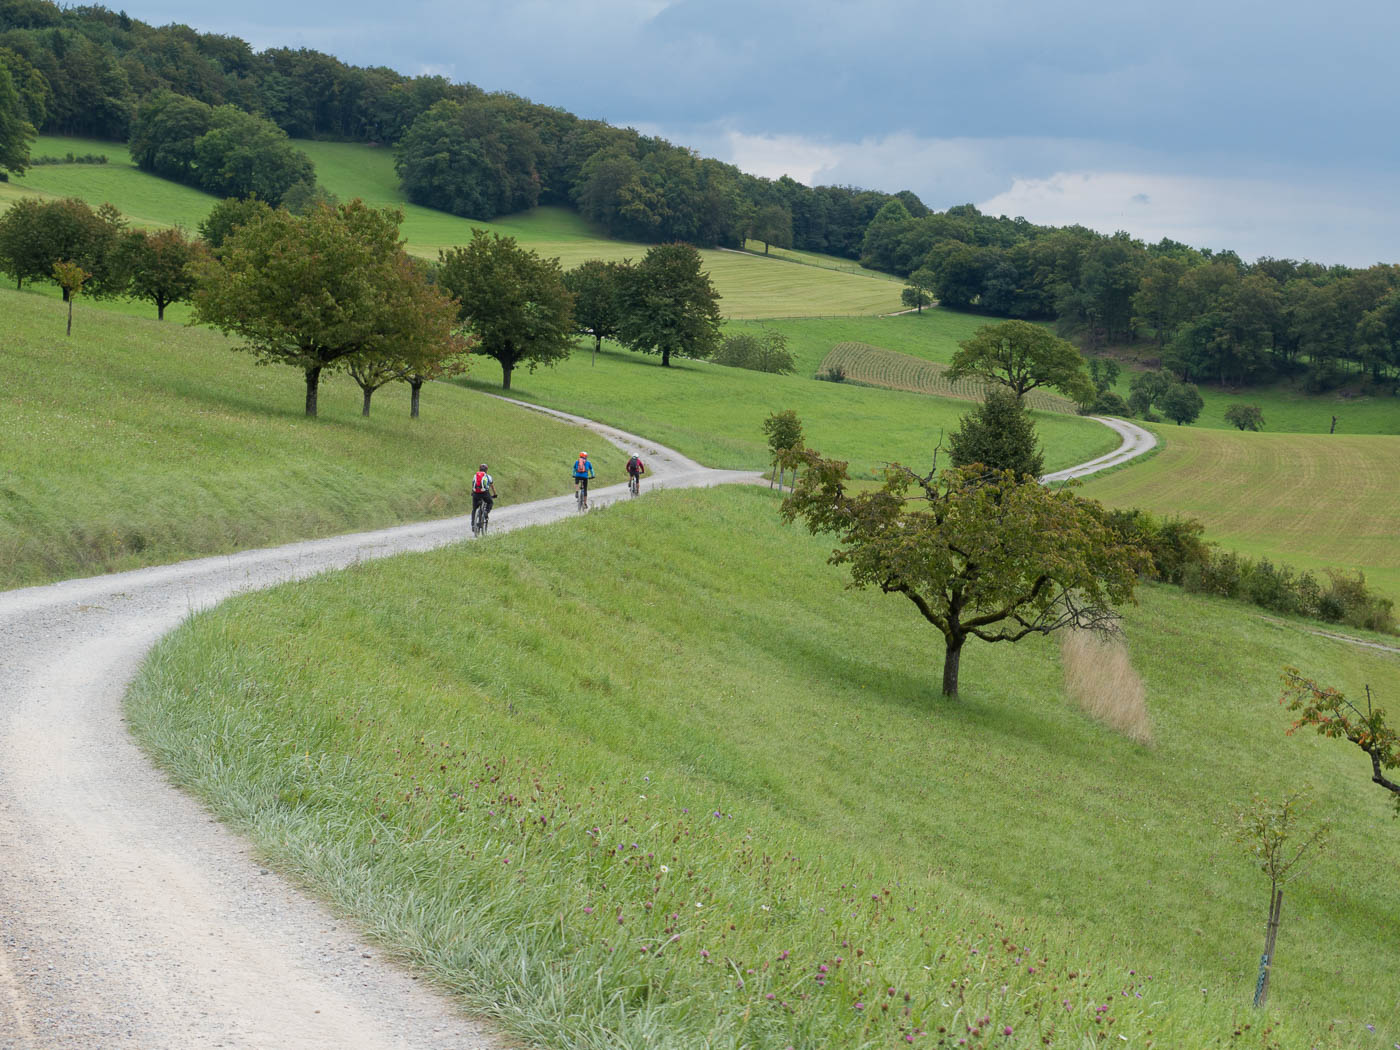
670, 306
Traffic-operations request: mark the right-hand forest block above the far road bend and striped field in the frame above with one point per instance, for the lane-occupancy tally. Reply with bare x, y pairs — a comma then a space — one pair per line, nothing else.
1205, 316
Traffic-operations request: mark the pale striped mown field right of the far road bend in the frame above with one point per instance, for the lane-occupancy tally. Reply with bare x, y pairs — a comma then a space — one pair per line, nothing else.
1300, 499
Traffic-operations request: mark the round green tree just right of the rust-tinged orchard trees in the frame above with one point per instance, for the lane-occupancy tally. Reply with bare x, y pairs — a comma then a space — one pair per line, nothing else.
514, 302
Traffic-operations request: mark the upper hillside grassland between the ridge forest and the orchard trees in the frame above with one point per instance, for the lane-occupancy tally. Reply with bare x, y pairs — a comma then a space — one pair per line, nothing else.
751, 286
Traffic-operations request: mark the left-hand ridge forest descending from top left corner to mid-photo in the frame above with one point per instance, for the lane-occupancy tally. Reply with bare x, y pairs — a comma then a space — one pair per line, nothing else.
93, 72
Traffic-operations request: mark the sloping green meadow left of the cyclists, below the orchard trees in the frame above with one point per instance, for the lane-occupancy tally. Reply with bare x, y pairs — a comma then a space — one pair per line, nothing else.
138, 443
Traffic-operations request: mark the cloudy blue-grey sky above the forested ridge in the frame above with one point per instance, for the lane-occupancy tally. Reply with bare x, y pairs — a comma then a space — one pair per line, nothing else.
1262, 128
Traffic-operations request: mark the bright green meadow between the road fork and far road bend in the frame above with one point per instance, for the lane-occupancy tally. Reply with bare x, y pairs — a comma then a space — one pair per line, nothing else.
715, 414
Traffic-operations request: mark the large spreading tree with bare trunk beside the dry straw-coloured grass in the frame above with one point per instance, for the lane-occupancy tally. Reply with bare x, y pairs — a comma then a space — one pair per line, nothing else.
969, 551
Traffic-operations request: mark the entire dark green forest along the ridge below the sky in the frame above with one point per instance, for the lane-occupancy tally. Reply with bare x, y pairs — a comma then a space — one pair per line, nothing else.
211, 111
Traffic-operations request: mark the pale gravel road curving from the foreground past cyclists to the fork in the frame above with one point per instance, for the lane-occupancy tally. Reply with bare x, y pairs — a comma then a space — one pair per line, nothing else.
128, 916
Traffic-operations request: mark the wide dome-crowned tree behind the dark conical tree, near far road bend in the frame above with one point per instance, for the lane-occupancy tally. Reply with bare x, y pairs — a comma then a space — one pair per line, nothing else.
1023, 358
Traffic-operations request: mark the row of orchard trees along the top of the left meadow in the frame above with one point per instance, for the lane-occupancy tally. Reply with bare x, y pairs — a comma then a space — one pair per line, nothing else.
332, 289
